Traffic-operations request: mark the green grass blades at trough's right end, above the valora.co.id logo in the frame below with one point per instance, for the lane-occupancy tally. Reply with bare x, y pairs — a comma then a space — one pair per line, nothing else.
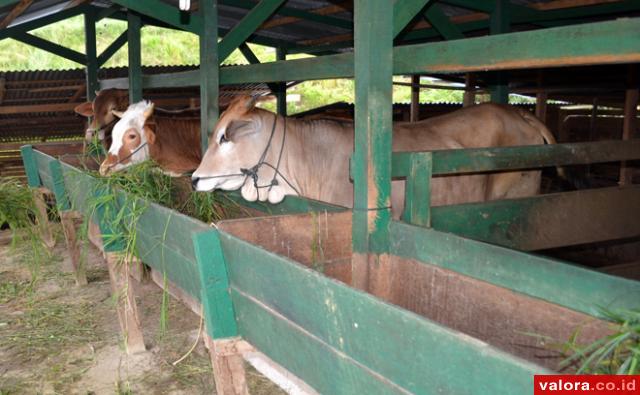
618, 353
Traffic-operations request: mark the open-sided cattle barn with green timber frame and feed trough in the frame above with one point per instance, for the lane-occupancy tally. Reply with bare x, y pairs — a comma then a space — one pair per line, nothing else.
351, 300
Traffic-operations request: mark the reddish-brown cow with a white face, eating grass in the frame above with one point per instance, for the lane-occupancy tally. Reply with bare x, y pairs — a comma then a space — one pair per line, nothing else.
174, 144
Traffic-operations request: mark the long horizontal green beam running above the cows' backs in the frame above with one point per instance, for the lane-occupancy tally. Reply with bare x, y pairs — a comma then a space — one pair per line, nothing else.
595, 43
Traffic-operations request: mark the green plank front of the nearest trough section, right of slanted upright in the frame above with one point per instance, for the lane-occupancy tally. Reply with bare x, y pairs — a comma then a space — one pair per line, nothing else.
282, 309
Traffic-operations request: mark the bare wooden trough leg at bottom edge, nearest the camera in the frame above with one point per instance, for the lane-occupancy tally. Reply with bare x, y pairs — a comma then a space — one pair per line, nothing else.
228, 365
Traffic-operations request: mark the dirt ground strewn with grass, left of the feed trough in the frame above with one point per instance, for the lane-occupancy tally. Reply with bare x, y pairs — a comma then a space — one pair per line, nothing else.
56, 338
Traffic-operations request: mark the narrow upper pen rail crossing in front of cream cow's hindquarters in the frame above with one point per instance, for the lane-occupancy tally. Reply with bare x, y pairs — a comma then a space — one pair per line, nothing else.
524, 157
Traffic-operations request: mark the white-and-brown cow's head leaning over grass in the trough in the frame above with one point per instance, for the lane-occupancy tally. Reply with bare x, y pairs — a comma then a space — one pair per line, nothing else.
131, 136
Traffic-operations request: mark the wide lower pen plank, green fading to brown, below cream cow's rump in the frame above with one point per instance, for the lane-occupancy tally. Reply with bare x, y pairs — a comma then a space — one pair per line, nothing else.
546, 221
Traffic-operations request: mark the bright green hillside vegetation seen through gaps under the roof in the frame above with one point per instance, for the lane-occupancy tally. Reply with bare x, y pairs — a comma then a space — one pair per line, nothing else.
169, 47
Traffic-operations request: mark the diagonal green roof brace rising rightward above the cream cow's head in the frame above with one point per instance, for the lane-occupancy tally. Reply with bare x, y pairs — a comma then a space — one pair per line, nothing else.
246, 27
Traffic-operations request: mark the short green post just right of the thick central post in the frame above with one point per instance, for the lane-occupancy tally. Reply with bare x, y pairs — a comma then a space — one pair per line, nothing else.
417, 194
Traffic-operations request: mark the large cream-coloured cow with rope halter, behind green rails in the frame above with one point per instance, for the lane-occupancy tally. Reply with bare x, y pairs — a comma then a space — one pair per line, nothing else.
268, 157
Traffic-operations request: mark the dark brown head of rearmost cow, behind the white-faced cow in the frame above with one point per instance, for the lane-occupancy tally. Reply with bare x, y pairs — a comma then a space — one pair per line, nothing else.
100, 111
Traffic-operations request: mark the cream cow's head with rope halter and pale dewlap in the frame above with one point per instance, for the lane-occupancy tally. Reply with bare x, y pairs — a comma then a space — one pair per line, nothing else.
237, 142
